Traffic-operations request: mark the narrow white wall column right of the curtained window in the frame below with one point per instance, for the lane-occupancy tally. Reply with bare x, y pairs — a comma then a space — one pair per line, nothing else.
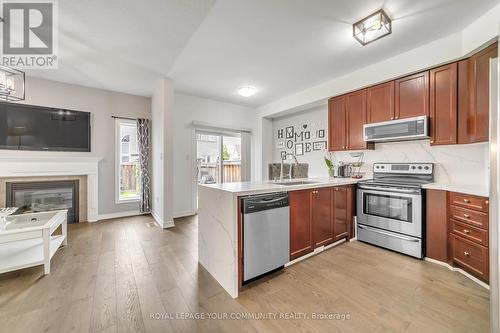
162, 110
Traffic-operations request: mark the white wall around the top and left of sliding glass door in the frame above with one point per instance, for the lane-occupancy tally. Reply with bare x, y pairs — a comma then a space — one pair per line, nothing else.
189, 108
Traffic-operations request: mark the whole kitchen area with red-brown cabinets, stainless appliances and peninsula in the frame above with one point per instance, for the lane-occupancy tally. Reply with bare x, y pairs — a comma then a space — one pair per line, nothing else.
417, 180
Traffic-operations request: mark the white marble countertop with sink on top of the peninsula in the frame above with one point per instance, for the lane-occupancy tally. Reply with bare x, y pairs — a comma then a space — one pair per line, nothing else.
247, 188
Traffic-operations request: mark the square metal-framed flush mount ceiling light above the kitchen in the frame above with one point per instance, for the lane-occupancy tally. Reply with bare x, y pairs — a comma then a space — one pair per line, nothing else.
372, 27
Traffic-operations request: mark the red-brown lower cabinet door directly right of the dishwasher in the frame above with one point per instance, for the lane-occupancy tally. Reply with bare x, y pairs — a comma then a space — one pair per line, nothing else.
301, 232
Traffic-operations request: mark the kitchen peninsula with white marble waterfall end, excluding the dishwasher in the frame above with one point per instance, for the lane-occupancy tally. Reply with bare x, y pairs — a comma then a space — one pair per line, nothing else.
219, 233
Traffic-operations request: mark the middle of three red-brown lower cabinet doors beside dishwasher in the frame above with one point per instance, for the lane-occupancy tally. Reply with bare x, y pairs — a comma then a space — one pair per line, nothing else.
322, 216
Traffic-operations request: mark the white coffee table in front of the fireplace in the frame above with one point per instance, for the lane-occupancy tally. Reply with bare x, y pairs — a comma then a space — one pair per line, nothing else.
28, 240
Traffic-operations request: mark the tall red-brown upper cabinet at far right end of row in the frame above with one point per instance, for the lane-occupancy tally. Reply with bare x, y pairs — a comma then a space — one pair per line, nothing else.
473, 92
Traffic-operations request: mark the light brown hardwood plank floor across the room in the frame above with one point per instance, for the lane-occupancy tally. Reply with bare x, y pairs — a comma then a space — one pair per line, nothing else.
118, 275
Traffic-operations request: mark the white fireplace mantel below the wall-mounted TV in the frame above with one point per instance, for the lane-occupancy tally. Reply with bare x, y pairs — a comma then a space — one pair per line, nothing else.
39, 166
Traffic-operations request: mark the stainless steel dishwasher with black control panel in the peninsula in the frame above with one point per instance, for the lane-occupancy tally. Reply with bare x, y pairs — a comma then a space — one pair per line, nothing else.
266, 234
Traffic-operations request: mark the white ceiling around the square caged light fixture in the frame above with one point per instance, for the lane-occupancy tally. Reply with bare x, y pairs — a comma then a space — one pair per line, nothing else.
279, 46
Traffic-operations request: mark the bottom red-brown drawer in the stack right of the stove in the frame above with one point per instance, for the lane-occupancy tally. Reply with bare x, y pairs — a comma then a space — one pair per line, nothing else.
472, 257
